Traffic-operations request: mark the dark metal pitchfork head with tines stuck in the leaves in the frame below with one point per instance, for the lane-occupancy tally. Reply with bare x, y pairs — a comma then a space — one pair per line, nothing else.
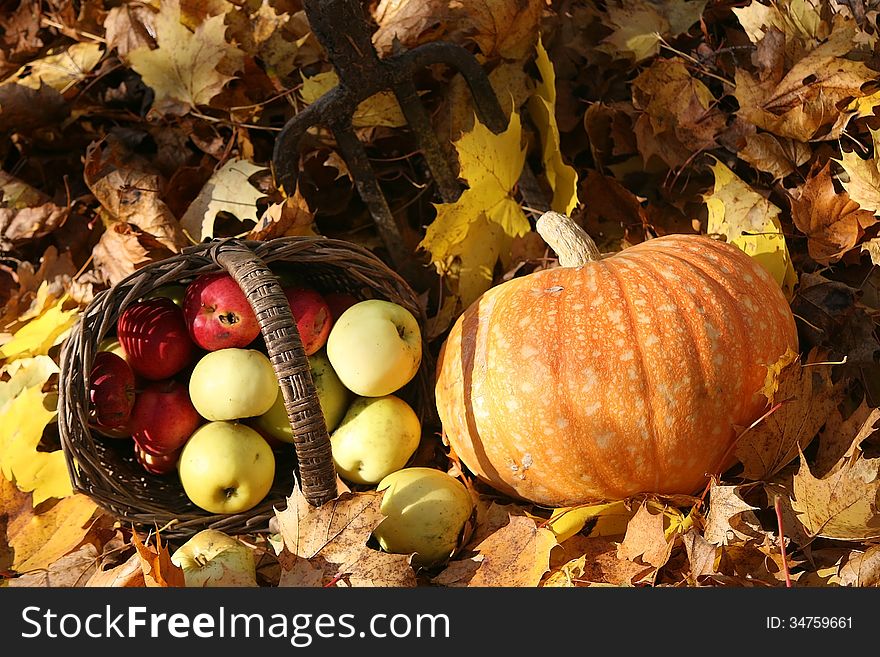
341, 27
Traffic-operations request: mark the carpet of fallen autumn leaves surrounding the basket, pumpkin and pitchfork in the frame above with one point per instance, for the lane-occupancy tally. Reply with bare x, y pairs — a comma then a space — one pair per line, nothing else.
129, 130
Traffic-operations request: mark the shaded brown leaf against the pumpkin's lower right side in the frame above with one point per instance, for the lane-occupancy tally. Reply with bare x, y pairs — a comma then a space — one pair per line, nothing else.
806, 395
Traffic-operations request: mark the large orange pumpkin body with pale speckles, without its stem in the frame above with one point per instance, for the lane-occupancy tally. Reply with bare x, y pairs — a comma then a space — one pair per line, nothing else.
627, 375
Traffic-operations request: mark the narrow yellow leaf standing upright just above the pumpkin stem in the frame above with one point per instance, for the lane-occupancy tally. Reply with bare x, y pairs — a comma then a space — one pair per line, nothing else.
542, 108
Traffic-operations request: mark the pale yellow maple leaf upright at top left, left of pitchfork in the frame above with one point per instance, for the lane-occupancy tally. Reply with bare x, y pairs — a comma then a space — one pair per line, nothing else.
182, 70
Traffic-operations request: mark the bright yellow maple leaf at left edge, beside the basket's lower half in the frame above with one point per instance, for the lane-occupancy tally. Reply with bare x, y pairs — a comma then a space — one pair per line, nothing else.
22, 423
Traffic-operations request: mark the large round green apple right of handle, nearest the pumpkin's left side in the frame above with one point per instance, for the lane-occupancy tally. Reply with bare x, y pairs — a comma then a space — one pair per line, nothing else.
375, 347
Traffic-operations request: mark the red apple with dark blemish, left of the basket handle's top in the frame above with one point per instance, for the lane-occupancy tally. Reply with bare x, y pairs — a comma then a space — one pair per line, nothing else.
218, 314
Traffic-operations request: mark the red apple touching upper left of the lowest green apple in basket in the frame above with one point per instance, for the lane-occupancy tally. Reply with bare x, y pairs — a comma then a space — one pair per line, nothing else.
163, 417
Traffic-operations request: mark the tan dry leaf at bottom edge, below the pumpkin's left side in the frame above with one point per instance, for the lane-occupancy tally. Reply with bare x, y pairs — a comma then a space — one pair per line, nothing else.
517, 554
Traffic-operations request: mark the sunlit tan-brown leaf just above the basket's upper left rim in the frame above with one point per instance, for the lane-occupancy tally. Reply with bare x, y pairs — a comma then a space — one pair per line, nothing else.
125, 248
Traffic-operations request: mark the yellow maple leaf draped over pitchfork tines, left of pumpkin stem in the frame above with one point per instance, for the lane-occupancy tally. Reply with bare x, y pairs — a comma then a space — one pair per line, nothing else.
485, 216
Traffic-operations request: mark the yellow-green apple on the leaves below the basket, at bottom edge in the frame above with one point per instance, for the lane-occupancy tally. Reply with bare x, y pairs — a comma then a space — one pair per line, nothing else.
211, 558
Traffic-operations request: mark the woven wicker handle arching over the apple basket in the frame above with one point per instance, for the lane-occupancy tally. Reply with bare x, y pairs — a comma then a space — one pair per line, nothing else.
317, 474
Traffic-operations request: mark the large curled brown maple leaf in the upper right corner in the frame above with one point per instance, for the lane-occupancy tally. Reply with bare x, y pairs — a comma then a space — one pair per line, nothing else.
802, 103
